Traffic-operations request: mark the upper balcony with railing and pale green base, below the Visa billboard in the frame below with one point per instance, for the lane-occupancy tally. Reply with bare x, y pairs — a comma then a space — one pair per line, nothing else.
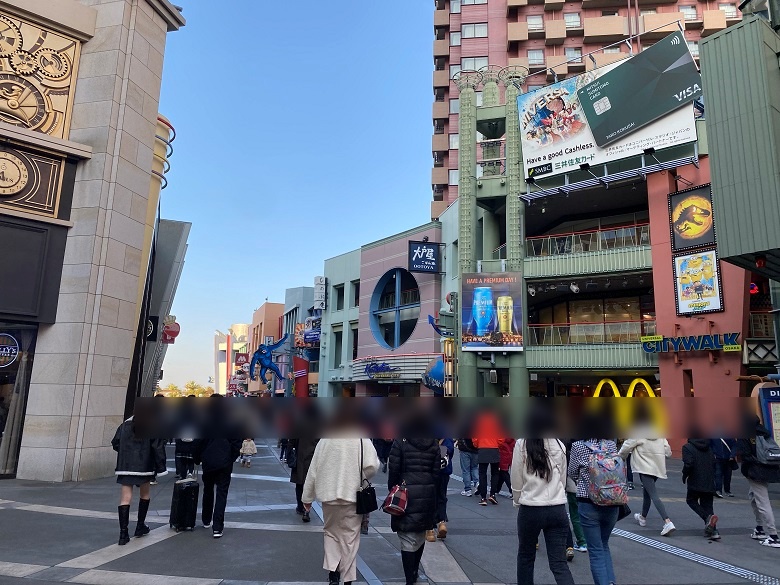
625, 249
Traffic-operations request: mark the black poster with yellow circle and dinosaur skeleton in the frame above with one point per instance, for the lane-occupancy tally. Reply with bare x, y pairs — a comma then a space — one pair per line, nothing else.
690, 218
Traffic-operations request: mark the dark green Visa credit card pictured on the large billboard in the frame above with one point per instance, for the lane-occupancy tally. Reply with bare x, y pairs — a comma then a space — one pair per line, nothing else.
642, 89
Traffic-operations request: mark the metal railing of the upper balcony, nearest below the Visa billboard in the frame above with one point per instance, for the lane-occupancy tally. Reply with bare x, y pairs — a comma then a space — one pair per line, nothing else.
591, 241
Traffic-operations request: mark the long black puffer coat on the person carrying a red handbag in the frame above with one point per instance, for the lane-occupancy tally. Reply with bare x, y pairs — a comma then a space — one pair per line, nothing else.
416, 462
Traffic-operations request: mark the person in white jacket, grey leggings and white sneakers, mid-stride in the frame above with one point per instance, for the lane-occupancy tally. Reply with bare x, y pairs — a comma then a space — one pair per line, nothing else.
648, 458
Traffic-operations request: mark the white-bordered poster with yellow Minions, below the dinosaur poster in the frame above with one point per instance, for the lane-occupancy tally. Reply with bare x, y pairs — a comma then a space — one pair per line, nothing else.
697, 279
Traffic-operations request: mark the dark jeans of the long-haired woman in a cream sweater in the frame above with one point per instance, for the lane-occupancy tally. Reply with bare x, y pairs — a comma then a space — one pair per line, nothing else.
552, 521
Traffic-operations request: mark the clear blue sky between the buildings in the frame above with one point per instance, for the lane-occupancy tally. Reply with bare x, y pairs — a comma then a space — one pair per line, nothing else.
303, 131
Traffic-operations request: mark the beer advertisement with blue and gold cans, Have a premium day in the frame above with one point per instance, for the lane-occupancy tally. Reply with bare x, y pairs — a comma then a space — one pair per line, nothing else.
492, 312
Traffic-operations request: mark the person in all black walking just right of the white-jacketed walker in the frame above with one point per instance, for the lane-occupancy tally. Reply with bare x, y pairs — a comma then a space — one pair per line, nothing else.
699, 476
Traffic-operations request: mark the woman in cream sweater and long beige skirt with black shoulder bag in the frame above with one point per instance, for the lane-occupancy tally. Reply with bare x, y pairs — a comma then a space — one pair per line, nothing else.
333, 478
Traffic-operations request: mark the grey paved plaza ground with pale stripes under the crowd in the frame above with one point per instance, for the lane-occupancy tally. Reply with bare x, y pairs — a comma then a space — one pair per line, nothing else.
55, 533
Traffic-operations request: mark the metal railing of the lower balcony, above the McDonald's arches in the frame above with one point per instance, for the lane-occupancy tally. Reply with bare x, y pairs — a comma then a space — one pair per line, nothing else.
590, 333
